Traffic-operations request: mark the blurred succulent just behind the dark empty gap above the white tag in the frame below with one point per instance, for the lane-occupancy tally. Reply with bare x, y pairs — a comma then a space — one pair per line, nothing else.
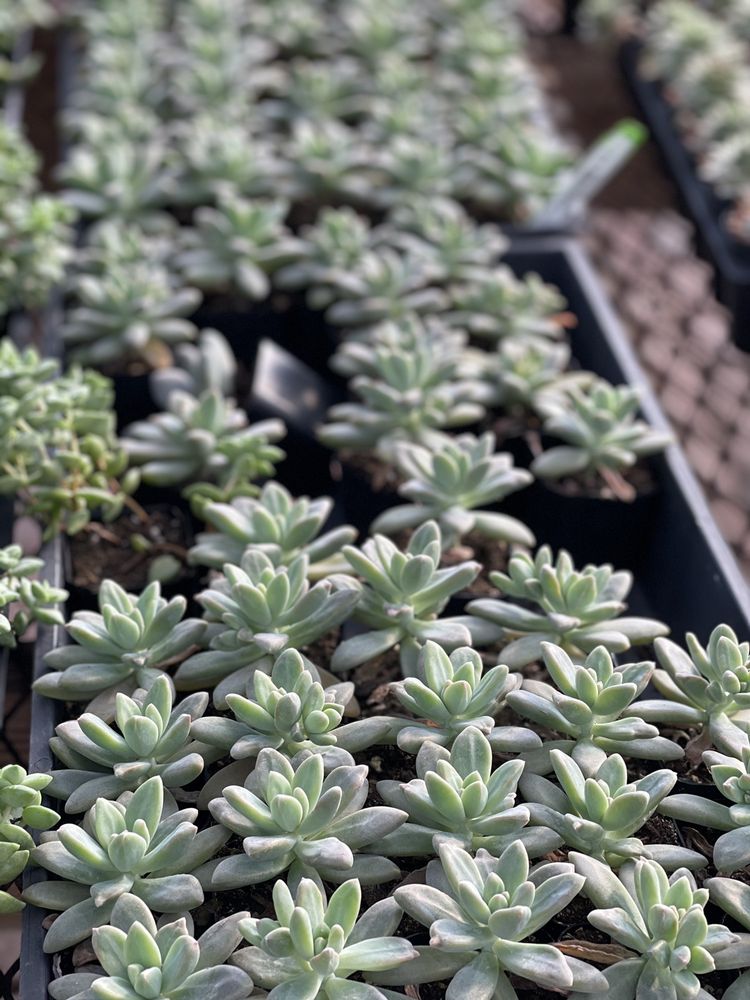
237, 245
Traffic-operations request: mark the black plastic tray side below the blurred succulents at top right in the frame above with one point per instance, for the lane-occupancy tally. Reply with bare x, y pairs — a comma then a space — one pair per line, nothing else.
729, 258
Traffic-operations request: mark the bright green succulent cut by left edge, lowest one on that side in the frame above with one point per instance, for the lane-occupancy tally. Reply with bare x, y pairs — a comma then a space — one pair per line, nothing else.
20, 806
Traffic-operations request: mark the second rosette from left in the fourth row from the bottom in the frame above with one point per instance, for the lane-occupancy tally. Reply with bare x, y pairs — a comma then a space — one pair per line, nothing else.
257, 610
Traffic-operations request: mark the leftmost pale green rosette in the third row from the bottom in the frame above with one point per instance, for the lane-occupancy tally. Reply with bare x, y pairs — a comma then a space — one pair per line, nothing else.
153, 739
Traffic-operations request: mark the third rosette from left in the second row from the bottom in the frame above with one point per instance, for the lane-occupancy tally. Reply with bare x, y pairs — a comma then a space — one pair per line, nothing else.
458, 797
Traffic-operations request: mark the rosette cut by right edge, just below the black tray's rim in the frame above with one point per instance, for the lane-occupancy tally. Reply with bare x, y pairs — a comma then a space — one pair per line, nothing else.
702, 687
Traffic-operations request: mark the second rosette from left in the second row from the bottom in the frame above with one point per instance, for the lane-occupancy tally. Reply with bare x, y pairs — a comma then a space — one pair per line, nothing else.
292, 816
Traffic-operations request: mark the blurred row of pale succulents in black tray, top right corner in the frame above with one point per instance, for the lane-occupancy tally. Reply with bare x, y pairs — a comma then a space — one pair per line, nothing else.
687, 65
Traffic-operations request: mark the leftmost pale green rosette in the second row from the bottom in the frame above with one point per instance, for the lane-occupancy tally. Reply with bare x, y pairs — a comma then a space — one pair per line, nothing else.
121, 848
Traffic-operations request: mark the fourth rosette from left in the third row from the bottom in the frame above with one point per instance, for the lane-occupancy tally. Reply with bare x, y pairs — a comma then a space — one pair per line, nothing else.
586, 704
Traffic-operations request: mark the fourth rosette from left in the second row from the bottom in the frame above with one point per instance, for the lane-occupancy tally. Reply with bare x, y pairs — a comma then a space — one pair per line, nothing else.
600, 814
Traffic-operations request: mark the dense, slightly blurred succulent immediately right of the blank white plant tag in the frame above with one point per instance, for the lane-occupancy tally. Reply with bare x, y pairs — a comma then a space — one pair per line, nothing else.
409, 388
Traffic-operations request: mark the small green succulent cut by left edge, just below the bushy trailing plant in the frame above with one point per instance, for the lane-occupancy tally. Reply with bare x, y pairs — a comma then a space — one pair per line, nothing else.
25, 599
